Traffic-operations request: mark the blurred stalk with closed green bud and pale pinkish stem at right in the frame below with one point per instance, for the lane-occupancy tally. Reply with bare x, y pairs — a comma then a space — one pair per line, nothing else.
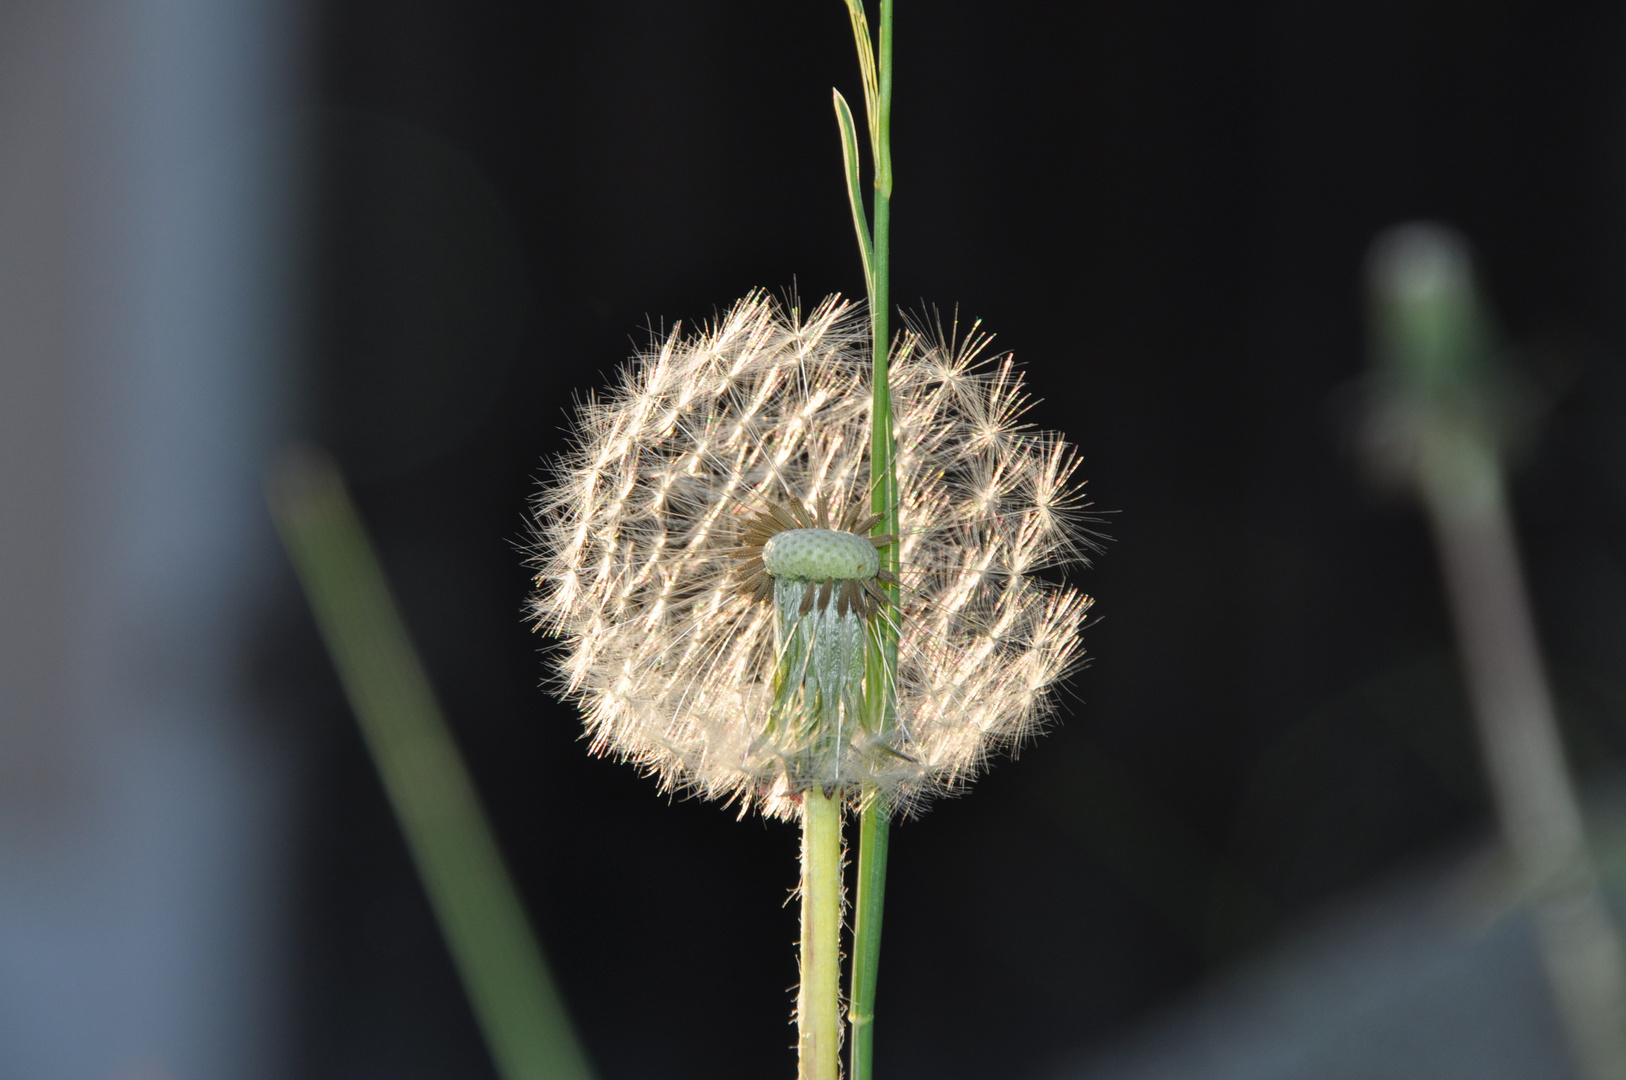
1441, 422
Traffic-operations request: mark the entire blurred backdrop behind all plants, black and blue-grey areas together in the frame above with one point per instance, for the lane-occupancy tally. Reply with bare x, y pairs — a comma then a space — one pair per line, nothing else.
1258, 842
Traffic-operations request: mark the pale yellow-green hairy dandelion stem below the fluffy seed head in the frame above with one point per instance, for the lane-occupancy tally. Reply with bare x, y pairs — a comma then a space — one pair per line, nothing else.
819, 1001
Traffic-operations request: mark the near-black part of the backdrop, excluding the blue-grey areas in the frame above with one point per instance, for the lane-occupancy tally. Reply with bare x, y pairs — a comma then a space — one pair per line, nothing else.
1162, 209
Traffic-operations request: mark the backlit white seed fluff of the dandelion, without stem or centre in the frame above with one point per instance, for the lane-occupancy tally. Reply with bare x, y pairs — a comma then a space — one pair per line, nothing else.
650, 544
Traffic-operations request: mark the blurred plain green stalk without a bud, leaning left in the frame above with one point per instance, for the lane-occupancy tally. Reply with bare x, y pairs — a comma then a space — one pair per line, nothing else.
500, 962
